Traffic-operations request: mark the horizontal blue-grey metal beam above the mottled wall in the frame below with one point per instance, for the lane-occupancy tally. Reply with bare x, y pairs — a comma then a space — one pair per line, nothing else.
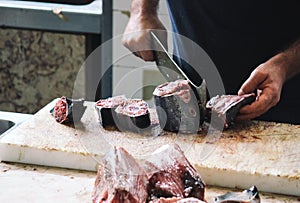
52, 16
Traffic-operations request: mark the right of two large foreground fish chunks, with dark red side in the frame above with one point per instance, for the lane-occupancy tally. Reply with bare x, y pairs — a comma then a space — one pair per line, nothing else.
172, 175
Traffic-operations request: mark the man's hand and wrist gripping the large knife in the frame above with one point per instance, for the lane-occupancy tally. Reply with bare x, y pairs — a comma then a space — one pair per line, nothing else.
143, 19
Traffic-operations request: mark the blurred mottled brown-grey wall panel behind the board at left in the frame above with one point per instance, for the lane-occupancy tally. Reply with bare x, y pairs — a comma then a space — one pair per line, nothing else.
36, 67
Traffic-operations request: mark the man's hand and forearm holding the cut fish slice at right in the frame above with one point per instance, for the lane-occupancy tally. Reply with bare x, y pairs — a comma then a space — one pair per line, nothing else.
269, 78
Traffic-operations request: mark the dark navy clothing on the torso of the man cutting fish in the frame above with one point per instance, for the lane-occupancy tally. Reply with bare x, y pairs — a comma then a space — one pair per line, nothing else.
238, 36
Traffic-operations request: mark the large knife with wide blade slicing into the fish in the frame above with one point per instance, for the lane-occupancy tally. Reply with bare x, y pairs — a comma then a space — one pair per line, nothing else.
170, 69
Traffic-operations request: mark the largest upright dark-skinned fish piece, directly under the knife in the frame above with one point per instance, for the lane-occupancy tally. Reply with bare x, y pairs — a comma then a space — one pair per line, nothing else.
178, 107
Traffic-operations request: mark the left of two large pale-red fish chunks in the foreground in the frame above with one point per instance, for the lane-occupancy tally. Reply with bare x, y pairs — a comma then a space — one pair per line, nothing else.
120, 179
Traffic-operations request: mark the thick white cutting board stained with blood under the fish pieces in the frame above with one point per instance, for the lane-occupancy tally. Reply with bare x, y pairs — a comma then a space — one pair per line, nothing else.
255, 153
